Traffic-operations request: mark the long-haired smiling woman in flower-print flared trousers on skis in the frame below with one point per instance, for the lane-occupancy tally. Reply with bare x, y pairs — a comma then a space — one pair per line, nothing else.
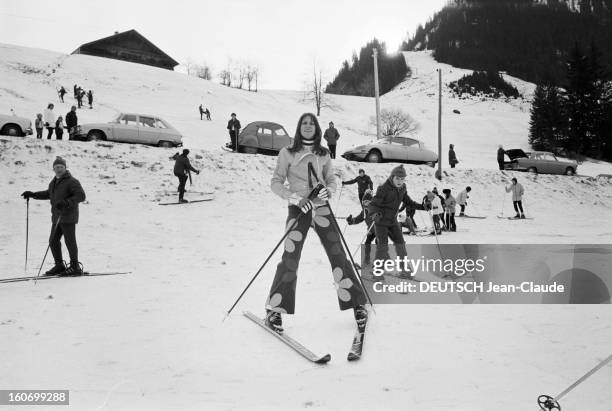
298, 169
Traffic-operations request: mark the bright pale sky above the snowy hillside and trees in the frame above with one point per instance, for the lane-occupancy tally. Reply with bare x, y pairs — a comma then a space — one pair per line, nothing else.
283, 37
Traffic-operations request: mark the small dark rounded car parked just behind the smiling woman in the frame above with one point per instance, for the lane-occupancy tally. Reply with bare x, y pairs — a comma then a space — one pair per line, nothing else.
263, 137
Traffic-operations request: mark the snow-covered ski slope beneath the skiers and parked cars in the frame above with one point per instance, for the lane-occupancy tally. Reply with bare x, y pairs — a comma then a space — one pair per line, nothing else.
155, 339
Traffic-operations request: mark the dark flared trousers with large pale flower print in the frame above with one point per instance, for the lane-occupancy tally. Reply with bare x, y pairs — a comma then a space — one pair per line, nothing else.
282, 292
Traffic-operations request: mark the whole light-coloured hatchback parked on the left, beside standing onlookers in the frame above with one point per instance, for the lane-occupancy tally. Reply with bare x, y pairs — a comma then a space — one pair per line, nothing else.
132, 128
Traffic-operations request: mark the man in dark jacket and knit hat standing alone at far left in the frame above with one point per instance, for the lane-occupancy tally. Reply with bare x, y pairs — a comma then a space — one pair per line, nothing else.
65, 193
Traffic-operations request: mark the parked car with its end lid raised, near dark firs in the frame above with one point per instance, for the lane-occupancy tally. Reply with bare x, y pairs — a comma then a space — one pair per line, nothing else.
539, 162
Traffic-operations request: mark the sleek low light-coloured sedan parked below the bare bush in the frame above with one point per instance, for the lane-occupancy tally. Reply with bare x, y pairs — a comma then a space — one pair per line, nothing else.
400, 149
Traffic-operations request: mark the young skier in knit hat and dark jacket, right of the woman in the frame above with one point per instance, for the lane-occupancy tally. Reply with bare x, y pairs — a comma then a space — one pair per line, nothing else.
384, 208
